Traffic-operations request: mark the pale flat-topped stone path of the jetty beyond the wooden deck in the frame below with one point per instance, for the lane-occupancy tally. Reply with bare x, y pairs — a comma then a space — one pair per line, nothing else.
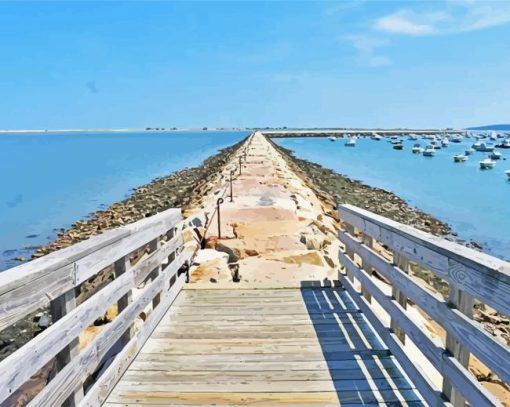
275, 231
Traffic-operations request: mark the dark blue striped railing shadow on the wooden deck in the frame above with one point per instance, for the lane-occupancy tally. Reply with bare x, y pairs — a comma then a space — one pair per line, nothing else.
362, 369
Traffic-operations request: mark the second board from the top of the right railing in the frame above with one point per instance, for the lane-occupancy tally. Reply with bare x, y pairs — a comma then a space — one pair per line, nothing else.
465, 330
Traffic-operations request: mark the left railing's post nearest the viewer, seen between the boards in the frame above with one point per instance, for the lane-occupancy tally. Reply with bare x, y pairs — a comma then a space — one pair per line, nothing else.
59, 307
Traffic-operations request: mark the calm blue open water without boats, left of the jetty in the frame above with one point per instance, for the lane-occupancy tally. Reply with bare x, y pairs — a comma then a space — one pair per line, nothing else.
50, 180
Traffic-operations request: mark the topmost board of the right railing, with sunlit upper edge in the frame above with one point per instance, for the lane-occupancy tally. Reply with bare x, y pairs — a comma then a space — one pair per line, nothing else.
485, 277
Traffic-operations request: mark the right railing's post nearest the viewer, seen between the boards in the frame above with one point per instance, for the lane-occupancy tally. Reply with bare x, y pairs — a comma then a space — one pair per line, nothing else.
464, 303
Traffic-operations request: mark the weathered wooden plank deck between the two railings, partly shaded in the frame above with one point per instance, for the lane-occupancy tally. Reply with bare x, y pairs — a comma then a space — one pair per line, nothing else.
309, 346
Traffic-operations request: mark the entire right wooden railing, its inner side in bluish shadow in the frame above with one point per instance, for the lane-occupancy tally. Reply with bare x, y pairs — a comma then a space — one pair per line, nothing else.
376, 244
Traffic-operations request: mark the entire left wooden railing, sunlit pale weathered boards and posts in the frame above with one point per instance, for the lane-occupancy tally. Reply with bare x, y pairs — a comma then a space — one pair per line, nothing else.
144, 263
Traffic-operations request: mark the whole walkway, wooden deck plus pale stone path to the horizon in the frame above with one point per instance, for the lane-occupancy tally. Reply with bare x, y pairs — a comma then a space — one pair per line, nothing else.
282, 333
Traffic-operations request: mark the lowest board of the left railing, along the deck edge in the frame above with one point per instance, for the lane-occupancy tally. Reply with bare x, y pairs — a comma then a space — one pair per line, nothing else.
105, 383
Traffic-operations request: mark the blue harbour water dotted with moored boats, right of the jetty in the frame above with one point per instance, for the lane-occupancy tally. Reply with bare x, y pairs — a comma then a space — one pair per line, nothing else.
474, 202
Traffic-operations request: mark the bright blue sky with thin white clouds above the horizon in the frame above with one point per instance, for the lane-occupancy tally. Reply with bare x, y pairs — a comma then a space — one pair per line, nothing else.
305, 64
